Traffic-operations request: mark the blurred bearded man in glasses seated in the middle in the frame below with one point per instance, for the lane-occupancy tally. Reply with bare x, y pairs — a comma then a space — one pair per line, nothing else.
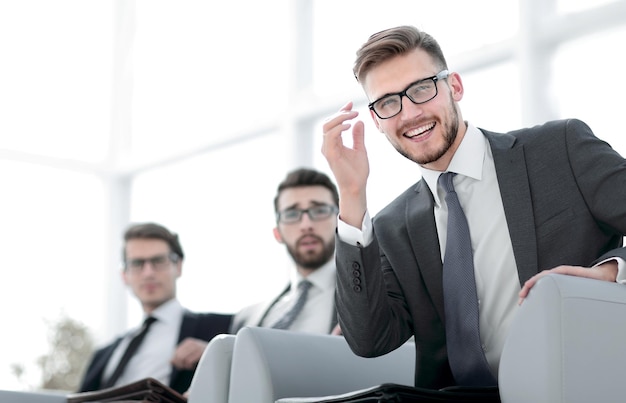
306, 206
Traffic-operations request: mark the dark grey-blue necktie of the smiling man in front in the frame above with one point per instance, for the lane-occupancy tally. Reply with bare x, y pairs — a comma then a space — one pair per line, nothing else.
465, 354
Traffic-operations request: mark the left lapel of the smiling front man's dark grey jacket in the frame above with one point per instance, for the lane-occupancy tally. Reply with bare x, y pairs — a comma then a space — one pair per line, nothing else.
425, 242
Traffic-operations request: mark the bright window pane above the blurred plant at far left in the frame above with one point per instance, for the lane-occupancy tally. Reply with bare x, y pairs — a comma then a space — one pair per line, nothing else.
53, 236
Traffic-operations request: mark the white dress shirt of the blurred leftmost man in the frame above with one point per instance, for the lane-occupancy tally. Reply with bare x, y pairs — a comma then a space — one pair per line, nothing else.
152, 359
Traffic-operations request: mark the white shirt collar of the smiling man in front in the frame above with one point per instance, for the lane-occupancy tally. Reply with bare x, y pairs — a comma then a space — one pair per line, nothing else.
467, 160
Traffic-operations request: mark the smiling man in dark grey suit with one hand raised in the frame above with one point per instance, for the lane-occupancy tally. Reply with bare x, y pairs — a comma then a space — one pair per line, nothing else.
548, 198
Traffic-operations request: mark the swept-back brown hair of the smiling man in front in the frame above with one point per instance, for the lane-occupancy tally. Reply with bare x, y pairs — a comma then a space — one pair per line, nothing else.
392, 42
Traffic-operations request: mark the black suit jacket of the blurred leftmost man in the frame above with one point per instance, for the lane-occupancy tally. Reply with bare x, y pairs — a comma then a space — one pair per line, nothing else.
202, 326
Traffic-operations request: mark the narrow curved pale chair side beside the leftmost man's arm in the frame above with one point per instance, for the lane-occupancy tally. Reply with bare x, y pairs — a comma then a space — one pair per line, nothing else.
212, 377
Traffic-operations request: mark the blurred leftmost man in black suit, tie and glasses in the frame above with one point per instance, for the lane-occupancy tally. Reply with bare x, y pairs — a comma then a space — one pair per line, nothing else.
172, 338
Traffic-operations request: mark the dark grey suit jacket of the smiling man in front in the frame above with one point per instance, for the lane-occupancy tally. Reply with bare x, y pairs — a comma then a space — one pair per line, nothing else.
564, 197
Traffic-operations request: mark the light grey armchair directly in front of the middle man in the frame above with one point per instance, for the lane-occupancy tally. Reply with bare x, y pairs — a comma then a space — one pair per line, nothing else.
269, 364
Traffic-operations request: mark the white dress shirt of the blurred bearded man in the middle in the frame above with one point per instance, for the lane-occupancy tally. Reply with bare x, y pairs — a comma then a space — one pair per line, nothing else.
317, 314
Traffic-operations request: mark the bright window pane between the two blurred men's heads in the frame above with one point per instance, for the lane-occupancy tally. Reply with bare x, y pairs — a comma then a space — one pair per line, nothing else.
221, 205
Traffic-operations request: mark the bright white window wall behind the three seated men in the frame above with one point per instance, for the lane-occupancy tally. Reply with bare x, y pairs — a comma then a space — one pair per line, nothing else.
189, 113
